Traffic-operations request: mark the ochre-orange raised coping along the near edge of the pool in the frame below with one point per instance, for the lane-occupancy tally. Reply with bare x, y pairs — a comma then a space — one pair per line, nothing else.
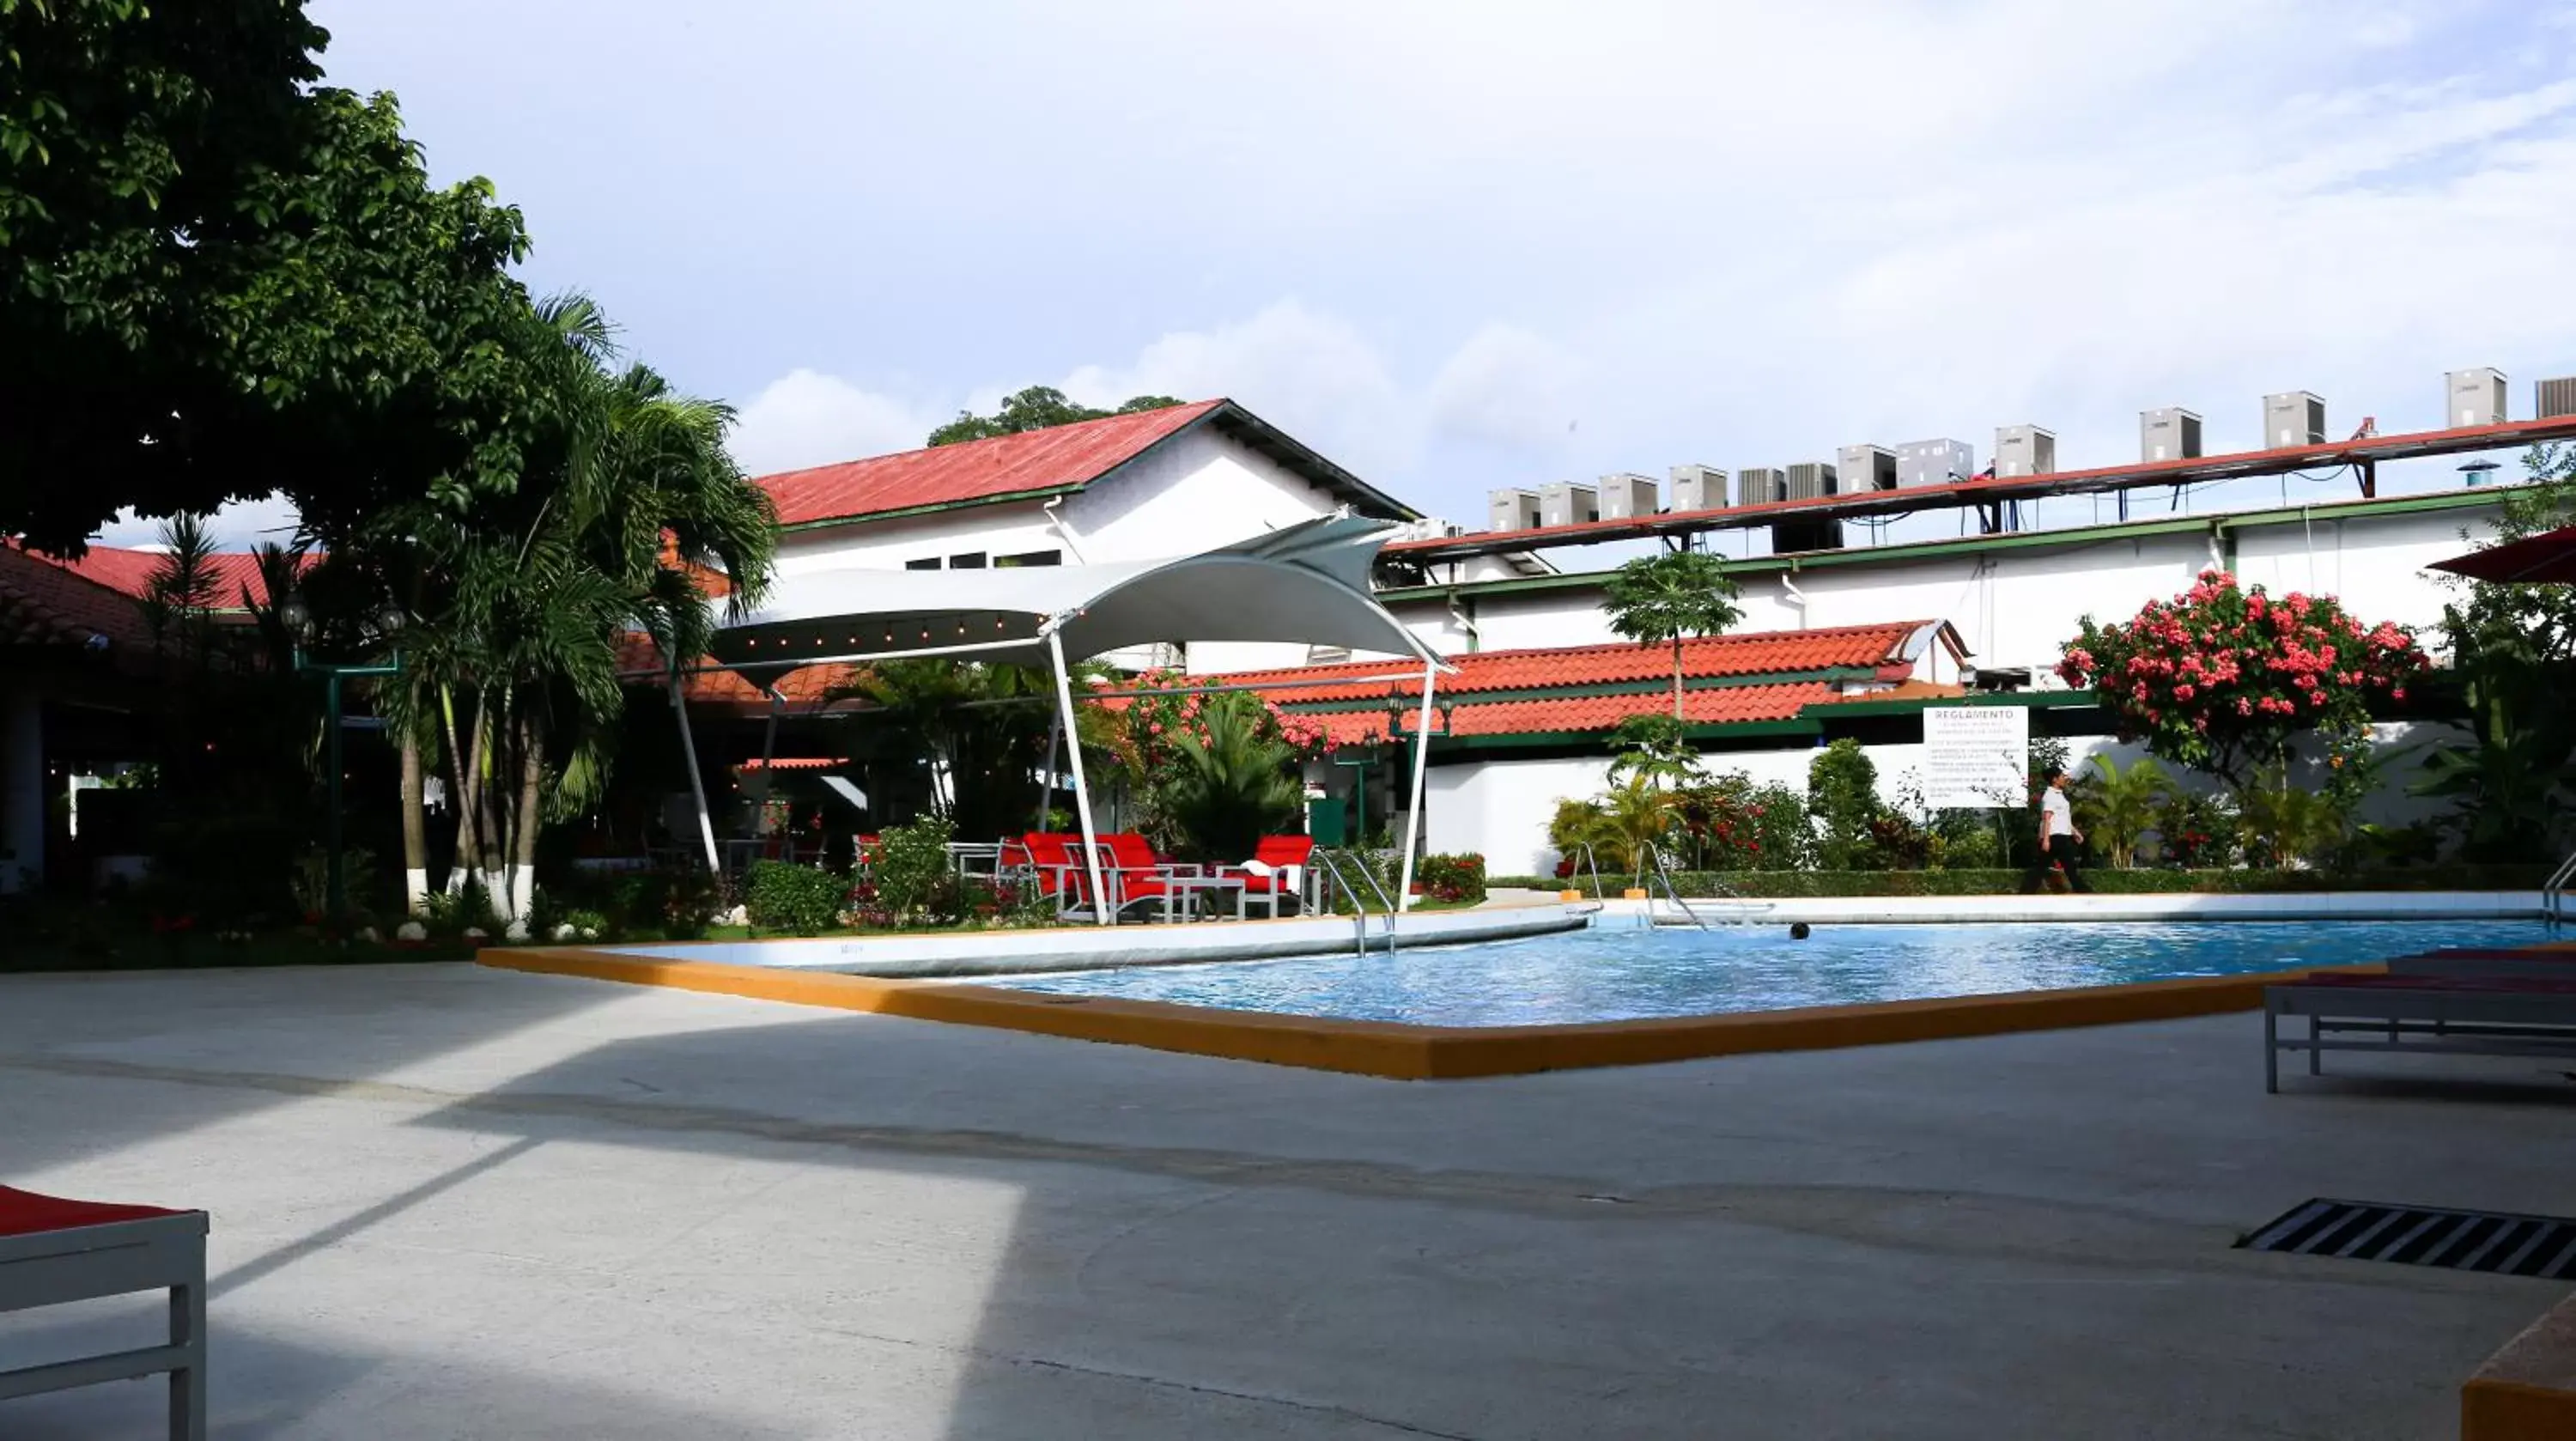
1397, 1050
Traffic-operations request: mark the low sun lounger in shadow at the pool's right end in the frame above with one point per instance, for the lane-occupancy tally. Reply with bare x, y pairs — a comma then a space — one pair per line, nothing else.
2459, 1014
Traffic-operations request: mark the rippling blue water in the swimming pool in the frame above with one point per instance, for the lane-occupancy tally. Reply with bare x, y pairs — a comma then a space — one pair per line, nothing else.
1624, 973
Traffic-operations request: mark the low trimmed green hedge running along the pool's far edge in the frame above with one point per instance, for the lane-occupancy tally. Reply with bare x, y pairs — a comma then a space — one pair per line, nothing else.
1792, 885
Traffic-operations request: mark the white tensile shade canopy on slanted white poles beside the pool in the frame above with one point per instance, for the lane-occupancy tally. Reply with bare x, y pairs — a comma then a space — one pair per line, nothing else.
1302, 584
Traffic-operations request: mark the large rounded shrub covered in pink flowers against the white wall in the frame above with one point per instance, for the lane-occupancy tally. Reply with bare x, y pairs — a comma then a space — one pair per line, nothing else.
2222, 679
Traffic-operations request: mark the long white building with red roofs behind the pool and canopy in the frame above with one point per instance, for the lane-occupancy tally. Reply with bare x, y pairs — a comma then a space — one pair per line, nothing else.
1542, 674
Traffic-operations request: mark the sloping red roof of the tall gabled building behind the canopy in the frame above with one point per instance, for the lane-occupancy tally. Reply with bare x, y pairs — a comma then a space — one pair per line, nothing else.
1032, 463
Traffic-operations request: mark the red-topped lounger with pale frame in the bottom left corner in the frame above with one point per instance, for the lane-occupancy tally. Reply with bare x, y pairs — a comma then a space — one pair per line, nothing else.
73, 1252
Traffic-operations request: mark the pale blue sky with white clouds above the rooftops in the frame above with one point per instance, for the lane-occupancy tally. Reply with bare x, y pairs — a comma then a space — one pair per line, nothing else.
1482, 244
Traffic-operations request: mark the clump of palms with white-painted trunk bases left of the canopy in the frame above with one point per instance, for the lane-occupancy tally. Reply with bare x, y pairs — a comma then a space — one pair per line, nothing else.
519, 602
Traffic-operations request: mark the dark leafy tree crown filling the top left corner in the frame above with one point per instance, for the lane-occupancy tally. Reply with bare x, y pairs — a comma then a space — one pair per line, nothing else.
223, 280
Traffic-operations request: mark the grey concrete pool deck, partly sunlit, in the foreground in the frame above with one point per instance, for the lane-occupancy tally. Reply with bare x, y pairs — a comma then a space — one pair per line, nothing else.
468, 1203
